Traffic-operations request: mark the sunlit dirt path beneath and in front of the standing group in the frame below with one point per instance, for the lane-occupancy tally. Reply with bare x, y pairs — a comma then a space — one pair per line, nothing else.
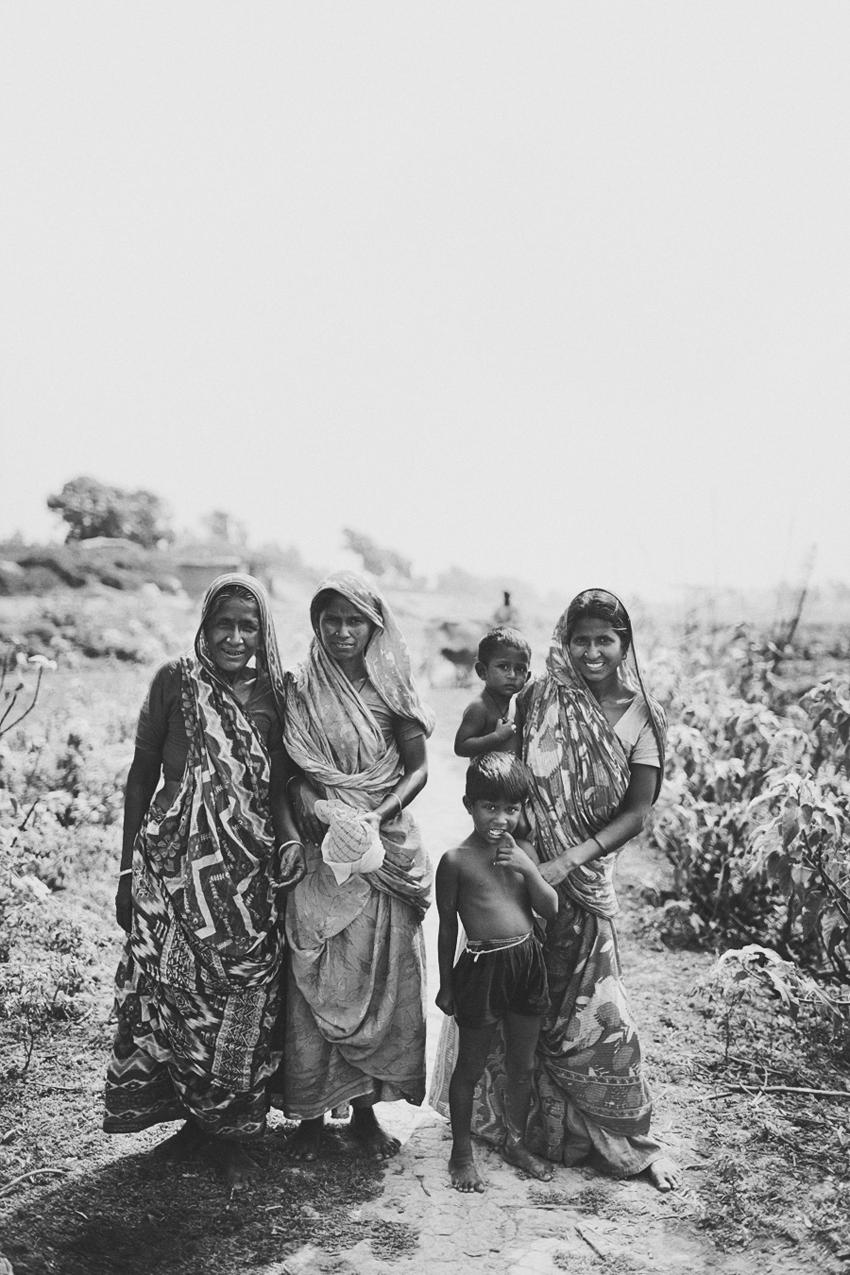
103, 1206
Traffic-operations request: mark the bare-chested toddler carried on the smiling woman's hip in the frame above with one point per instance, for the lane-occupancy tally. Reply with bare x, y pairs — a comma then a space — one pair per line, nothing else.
503, 665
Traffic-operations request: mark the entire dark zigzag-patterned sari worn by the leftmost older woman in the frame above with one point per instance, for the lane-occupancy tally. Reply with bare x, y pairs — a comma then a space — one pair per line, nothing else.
198, 987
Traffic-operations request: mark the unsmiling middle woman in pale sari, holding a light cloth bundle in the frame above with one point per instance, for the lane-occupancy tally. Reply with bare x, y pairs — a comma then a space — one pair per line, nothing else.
356, 730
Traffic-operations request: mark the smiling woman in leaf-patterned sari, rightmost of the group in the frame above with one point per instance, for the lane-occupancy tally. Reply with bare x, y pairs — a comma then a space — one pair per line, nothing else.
593, 740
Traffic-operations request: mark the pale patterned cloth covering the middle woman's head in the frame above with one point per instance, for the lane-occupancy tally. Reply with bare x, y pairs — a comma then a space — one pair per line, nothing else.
387, 657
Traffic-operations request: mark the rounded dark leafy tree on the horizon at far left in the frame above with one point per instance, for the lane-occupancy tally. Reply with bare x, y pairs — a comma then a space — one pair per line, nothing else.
92, 508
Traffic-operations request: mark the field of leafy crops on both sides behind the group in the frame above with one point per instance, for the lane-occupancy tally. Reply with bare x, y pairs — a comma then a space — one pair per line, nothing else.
751, 845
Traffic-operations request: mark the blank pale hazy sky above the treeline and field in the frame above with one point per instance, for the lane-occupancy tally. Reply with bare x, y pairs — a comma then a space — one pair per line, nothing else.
551, 290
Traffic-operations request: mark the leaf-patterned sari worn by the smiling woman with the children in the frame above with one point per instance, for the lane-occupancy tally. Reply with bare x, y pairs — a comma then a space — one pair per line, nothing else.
591, 1100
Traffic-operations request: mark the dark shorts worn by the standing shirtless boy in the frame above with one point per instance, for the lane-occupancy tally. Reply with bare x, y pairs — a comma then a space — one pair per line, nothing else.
490, 985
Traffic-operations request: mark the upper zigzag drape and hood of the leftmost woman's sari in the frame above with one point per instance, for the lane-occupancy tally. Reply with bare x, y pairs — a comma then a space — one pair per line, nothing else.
212, 851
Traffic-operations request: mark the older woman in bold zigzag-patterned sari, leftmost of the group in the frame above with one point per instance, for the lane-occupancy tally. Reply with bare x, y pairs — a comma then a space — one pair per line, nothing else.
198, 989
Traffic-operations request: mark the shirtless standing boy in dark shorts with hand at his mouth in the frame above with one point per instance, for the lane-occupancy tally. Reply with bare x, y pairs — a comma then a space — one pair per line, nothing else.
493, 883
